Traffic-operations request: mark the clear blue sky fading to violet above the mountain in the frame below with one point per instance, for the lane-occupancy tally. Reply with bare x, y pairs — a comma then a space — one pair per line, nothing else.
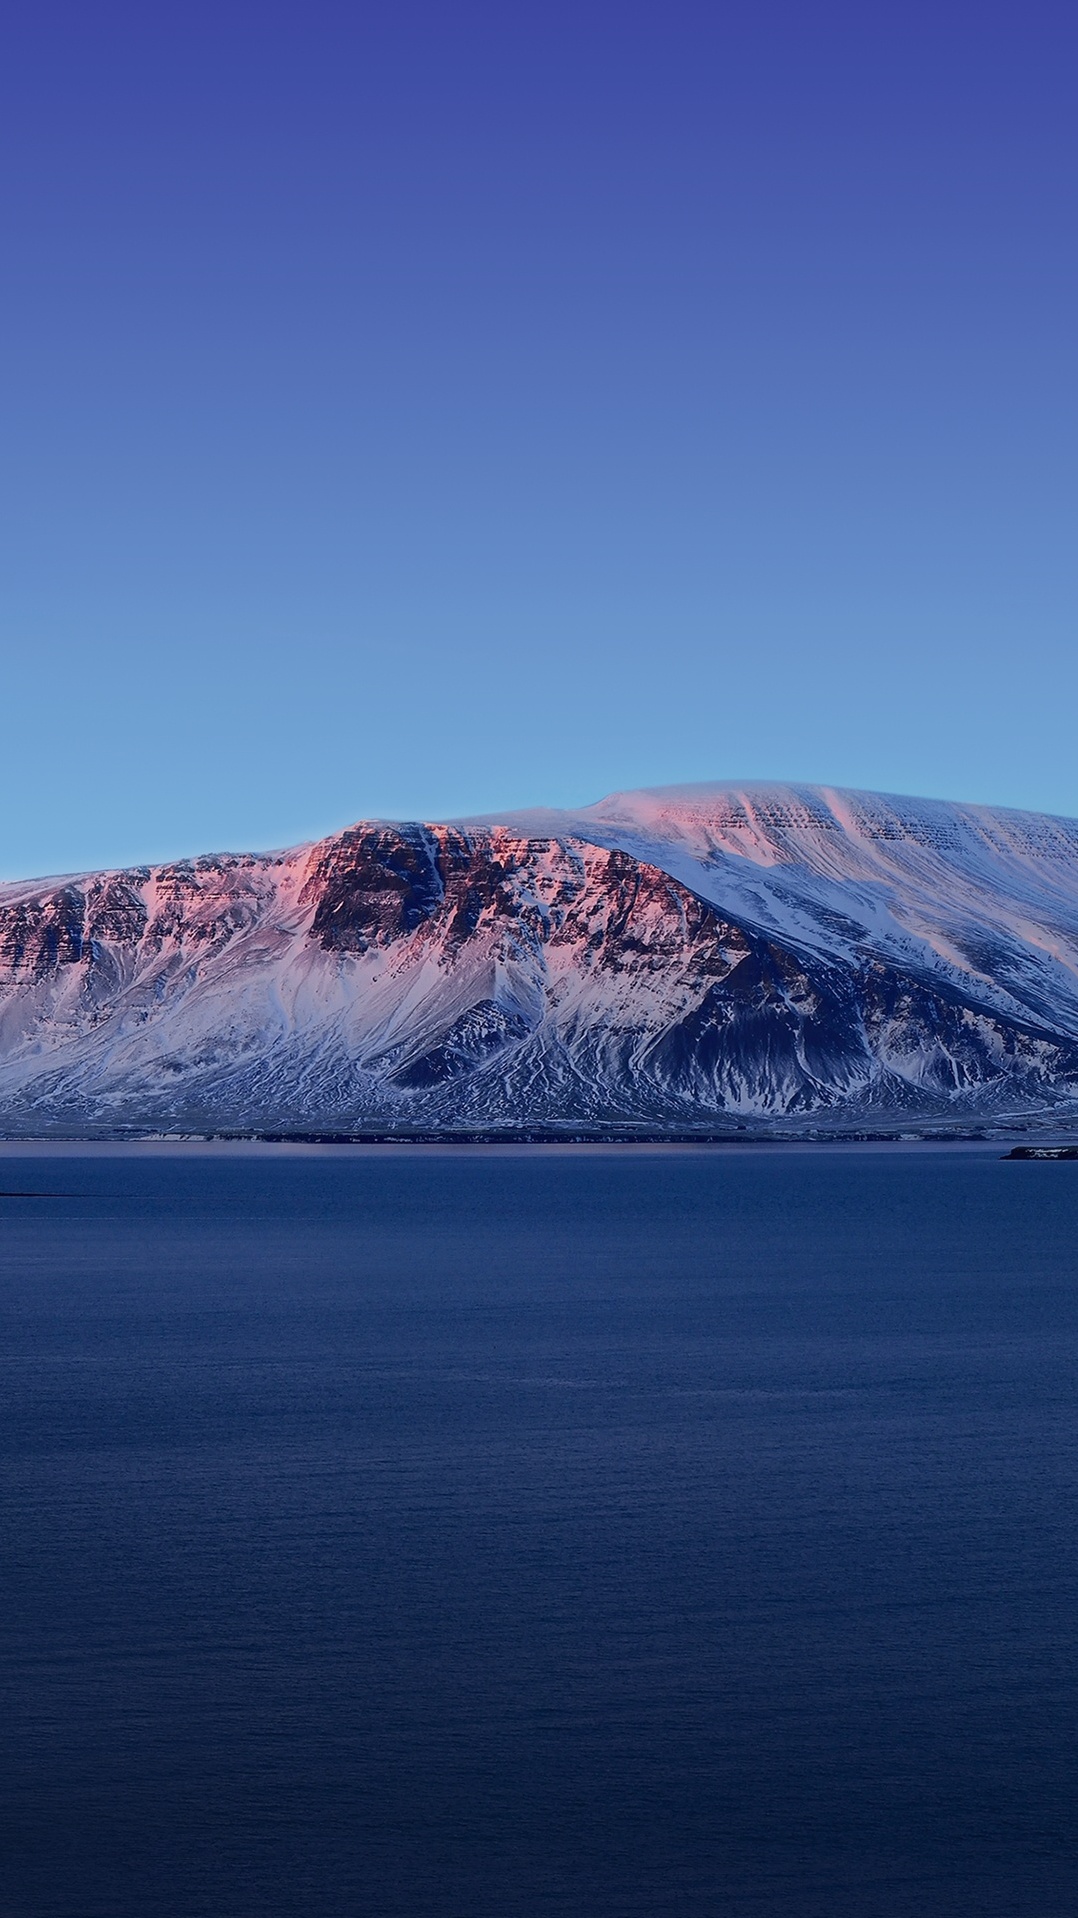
413, 411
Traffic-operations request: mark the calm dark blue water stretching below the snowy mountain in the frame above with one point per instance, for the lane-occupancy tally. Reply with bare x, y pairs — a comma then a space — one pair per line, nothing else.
480, 1533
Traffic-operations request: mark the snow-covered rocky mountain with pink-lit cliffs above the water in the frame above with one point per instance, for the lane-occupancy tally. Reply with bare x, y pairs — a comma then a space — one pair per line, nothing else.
695, 958
